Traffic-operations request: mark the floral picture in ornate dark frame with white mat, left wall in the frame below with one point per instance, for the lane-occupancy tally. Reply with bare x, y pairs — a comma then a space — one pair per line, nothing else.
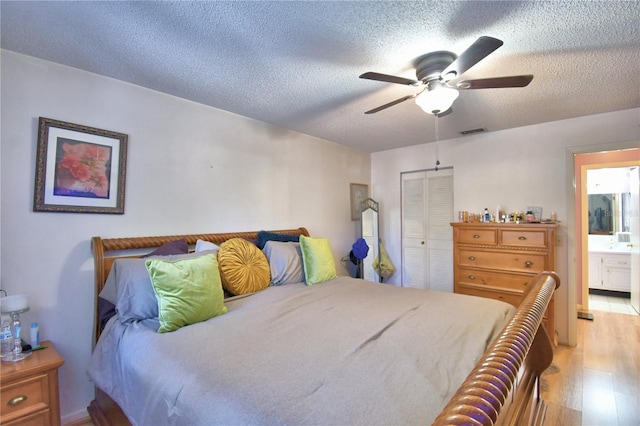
79, 169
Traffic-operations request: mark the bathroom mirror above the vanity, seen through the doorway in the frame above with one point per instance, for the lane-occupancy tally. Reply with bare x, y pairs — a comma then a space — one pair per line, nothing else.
609, 213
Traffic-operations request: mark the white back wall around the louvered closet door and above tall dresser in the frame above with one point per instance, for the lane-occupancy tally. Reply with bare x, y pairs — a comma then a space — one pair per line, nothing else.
513, 168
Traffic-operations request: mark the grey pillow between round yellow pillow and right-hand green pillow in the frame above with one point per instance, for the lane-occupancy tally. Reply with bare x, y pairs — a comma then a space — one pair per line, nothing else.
285, 262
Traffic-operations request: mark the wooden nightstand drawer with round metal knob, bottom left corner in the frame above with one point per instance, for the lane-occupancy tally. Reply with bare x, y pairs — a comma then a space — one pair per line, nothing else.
24, 397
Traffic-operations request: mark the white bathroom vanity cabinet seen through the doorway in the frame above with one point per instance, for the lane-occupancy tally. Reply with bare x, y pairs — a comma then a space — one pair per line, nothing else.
610, 271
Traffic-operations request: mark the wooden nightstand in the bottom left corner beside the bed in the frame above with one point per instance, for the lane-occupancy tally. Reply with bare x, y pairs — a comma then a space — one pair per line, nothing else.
29, 389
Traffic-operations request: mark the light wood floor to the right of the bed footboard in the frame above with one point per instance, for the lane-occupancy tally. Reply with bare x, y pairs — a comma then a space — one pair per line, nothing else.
596, 383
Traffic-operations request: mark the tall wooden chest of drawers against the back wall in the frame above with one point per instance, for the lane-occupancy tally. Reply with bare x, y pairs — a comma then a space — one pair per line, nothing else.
498, 260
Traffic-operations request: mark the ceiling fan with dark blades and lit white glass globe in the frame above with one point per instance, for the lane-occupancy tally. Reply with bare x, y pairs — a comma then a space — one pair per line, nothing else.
435, 70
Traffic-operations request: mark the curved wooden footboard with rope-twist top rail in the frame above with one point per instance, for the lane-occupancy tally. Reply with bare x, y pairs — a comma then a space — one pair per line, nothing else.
504, 387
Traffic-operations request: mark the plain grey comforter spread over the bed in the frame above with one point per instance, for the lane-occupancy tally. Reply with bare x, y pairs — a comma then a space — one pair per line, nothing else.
346, 351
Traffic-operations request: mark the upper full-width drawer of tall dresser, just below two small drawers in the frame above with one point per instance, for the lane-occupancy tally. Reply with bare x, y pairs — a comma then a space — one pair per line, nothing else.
511, 261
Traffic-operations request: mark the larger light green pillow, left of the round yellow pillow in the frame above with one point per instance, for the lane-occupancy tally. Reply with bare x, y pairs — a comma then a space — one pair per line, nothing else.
188, 290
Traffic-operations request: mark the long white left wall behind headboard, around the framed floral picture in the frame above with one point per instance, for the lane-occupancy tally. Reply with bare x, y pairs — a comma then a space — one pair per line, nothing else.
191, 169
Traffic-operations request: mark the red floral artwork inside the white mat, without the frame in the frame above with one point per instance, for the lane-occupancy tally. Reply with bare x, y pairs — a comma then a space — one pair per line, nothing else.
82, 169
